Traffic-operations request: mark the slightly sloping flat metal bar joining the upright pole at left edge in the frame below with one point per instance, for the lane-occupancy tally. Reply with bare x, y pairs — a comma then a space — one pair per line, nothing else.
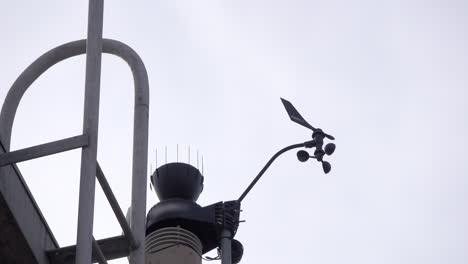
43, 150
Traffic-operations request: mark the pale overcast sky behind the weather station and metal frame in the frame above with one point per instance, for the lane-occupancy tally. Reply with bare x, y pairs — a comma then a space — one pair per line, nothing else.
387, 78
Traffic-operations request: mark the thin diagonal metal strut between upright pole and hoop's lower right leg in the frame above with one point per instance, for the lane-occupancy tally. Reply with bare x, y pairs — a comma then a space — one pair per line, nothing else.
115, 207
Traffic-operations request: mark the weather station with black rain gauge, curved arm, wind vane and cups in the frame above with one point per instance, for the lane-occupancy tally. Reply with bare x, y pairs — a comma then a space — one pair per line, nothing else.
178, 230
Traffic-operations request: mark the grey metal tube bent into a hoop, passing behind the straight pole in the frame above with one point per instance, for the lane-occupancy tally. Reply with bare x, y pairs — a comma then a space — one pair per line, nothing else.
140, 129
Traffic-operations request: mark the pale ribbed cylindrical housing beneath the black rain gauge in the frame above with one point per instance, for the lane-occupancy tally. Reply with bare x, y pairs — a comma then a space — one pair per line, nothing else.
172, 245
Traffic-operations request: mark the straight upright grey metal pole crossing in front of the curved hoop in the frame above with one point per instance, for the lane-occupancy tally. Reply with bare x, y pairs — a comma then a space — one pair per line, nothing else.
84, 239
